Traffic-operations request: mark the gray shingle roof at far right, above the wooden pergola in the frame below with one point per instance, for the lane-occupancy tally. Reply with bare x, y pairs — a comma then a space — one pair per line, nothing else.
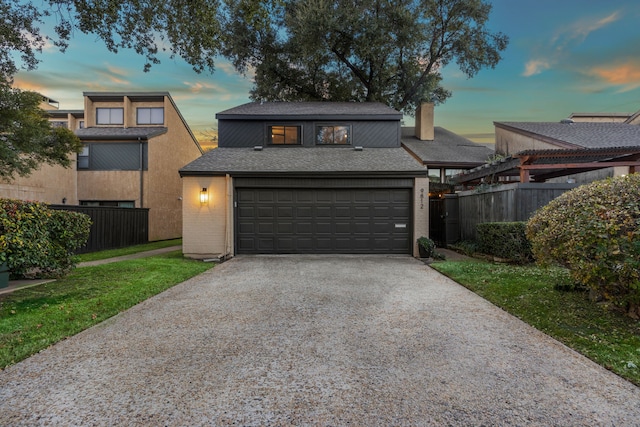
579, 135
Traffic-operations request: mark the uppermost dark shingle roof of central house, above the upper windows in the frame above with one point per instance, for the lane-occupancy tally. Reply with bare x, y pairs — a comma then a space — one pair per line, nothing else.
311, 110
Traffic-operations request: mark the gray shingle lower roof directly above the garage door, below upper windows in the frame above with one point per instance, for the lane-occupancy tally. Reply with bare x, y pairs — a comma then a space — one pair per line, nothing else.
306, 161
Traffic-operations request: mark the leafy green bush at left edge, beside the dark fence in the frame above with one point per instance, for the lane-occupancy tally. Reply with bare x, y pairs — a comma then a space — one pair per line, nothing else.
38, 241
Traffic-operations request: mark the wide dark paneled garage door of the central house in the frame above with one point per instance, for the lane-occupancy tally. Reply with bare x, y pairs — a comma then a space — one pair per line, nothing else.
277, 220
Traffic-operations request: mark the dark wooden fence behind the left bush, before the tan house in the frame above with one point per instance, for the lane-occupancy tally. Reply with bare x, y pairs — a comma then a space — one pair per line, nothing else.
112, 227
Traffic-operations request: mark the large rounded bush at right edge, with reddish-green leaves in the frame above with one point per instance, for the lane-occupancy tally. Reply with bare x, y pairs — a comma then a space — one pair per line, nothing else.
594, 231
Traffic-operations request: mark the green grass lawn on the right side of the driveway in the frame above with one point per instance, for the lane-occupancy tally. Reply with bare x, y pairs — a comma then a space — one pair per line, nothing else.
606, 337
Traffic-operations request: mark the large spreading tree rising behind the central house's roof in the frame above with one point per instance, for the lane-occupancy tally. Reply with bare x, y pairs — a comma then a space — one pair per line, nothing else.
368, 50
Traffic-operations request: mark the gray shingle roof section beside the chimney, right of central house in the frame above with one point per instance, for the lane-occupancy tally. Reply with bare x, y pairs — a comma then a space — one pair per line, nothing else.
447, 148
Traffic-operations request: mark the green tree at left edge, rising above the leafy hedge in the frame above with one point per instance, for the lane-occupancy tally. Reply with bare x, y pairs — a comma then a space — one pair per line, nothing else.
26, 137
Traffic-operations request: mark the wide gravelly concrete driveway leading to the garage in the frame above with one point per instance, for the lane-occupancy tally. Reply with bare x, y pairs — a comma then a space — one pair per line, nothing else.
314, 340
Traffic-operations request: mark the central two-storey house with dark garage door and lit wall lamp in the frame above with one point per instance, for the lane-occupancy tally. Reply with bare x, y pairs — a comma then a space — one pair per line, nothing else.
308, 177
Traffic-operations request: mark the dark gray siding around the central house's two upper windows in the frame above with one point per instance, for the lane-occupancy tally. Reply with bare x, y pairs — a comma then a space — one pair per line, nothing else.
249, 133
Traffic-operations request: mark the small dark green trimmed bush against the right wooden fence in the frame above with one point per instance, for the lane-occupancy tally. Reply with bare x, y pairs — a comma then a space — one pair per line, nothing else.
506, 240
